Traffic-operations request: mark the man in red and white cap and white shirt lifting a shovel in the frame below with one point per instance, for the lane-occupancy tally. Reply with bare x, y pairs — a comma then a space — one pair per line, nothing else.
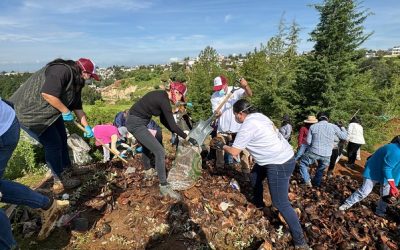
227, 125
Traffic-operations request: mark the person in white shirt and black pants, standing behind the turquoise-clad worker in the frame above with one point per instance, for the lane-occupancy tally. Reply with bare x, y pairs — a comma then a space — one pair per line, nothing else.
356, 139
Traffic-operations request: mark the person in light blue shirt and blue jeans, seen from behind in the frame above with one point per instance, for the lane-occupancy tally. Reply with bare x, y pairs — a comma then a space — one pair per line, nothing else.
320, 139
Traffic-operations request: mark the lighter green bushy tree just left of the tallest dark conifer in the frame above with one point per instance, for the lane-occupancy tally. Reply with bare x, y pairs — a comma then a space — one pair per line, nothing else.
271, 71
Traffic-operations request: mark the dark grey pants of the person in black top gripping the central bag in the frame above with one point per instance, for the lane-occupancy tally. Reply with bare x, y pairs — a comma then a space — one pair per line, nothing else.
138, 127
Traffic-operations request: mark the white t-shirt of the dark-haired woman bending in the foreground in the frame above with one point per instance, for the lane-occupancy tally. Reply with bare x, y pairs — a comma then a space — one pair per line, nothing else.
263, 141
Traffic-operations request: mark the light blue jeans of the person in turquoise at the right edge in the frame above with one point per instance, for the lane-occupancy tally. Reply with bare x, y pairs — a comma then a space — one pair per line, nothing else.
365, 190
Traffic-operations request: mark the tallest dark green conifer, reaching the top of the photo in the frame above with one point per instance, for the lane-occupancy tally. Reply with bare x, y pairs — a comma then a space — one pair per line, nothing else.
333, 62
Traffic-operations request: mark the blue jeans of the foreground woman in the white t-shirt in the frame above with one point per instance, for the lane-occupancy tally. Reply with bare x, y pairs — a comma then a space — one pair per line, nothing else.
278, 176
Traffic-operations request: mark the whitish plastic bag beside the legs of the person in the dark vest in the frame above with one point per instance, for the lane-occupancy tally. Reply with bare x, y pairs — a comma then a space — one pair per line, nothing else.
79, 150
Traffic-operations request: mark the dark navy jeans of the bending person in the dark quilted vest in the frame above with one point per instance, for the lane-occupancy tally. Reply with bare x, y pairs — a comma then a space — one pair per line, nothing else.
54, 141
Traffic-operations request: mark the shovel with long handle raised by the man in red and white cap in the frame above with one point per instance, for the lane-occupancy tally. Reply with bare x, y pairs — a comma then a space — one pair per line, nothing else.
203, 128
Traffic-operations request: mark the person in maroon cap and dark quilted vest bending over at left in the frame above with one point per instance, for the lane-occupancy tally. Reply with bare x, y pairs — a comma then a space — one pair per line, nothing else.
45, 101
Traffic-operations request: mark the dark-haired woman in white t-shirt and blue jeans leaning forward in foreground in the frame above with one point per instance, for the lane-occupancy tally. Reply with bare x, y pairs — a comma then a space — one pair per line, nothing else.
274, 159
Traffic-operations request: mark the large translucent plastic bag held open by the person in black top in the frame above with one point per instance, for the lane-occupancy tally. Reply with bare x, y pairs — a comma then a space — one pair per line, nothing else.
186, 168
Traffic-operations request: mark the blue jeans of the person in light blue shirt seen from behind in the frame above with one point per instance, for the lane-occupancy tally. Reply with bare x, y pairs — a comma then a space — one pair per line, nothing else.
309, 158
